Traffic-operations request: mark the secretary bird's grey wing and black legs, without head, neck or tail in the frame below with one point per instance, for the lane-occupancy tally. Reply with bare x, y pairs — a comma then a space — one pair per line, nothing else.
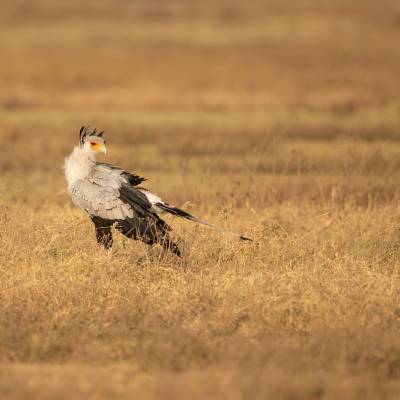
110, 196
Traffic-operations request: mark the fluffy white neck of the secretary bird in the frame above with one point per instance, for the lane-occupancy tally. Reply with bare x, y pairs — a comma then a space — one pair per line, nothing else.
78, 165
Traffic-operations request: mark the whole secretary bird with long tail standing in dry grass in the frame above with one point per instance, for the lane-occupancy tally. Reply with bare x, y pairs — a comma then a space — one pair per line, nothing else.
114, 197
